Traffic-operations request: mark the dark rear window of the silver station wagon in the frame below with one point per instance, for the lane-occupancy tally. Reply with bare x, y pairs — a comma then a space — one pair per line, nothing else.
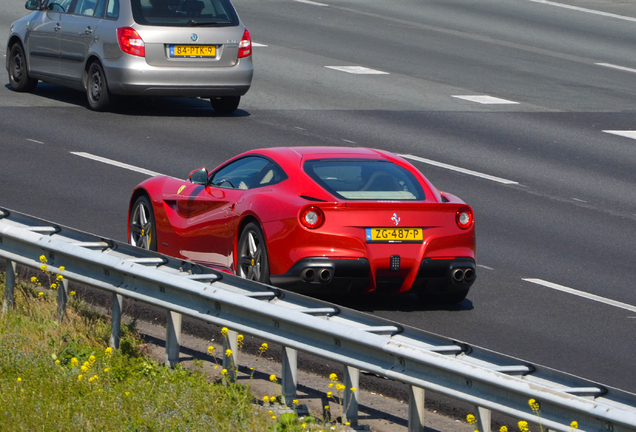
184, 13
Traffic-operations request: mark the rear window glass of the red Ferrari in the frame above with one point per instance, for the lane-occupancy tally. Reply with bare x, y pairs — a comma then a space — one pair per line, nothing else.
363, 179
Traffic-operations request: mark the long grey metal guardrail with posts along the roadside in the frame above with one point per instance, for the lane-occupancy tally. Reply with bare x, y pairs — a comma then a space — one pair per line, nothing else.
422, 360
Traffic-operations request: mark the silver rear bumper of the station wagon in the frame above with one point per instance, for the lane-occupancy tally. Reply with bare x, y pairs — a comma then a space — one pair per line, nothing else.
136, 77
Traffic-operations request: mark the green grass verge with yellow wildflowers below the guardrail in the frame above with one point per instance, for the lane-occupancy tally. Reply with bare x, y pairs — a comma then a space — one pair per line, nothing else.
123, 391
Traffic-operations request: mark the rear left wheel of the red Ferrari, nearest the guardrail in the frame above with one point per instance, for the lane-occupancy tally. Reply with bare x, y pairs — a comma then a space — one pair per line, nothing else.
252, 254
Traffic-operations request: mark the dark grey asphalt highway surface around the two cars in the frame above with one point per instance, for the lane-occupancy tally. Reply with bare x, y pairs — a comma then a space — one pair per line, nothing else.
553, 192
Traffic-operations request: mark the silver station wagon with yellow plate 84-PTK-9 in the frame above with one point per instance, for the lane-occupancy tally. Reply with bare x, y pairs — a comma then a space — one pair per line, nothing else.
191, 48
